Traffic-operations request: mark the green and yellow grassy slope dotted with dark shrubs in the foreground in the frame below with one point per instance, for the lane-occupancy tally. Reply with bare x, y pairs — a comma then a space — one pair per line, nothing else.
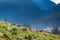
22, 34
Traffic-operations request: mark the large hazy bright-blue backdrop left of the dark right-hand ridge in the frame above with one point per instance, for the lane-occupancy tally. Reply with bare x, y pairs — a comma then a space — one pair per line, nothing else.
26, 11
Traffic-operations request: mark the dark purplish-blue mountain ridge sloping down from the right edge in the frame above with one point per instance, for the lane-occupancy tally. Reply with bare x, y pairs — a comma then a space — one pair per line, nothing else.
53, 17
